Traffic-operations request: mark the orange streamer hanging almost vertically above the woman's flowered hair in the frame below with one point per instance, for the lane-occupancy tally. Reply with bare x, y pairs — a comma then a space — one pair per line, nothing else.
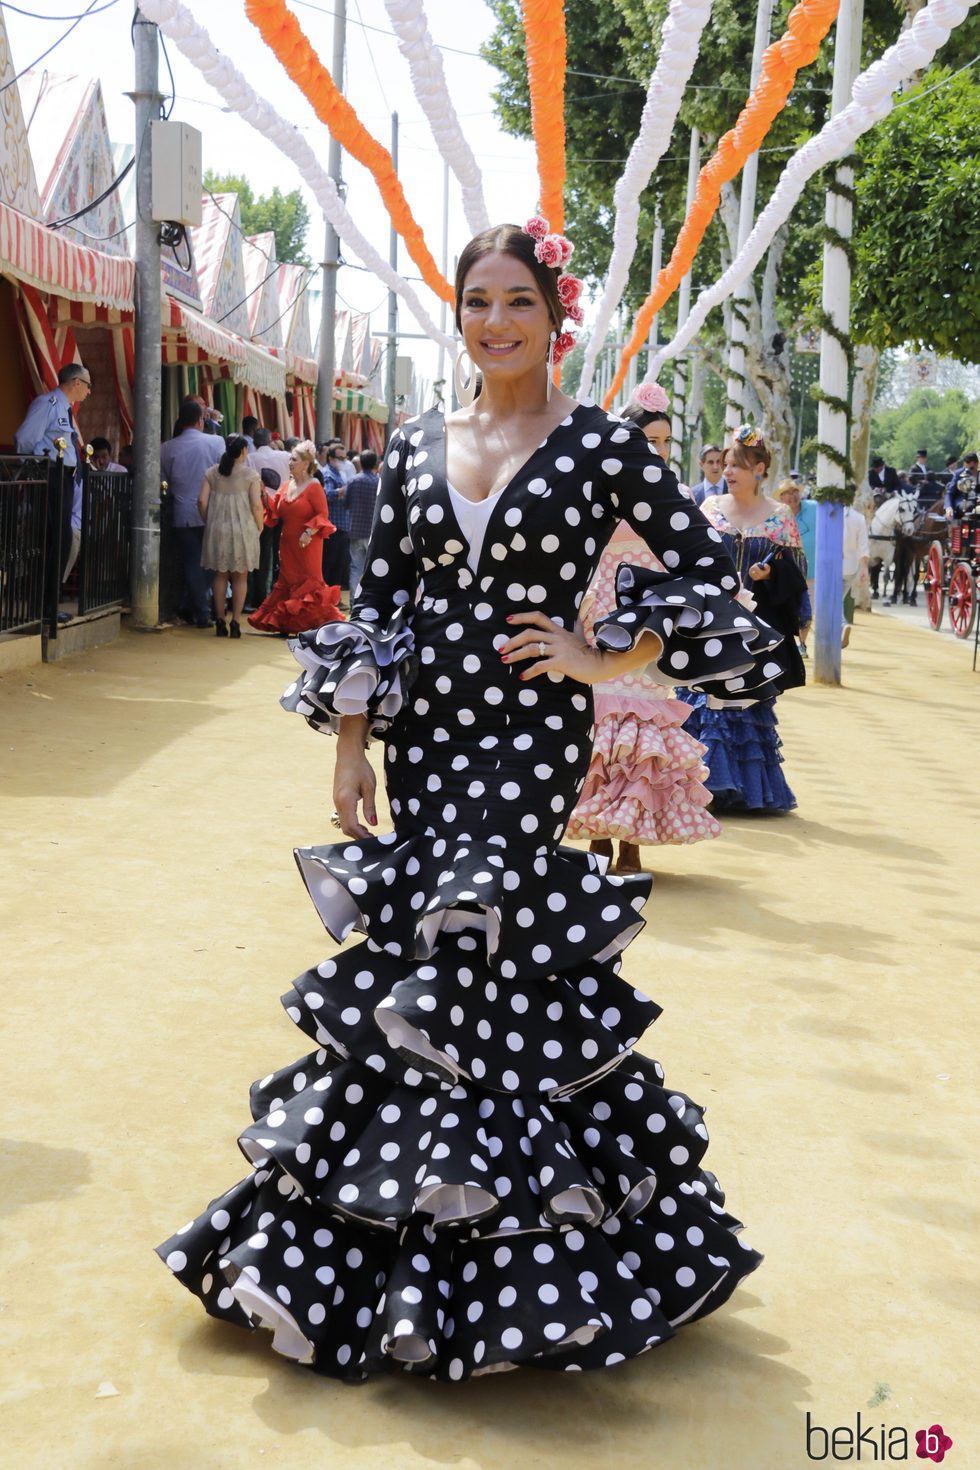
546, 43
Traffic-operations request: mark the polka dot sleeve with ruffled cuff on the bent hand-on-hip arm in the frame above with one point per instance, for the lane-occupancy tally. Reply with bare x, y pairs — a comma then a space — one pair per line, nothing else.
712, 643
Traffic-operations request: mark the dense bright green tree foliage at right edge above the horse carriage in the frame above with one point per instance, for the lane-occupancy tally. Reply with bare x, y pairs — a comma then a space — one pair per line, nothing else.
919, 223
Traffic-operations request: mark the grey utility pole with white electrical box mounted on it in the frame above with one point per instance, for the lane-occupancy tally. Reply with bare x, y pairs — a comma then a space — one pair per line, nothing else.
145, 561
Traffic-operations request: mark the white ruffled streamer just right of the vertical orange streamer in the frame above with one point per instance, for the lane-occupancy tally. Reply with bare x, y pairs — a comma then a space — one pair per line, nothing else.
681, 42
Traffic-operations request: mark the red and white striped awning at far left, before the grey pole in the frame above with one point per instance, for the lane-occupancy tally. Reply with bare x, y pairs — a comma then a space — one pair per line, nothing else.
39, 257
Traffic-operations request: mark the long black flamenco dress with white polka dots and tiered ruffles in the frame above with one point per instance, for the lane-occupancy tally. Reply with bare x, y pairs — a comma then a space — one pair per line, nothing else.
472, 1169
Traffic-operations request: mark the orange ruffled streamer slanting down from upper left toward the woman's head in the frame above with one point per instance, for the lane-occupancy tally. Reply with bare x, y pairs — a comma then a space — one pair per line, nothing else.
284, 36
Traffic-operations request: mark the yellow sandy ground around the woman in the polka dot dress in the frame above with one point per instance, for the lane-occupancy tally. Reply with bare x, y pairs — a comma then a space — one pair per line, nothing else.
819, 981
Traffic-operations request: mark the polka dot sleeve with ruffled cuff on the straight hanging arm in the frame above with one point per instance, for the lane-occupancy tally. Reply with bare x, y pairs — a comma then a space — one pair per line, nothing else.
367, 665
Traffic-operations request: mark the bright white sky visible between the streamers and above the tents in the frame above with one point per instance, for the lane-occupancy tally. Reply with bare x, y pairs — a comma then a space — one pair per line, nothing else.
377, 83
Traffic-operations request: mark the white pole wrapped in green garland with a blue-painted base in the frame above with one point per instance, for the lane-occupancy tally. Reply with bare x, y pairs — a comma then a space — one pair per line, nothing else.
832, 424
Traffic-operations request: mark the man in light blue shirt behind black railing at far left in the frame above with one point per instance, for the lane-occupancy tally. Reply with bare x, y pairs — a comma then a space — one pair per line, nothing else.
51, 418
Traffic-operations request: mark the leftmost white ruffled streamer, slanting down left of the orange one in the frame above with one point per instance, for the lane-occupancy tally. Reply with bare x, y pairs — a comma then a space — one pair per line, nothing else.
193, 40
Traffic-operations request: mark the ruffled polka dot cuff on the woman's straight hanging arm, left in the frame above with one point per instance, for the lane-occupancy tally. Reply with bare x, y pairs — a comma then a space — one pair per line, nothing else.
353, 670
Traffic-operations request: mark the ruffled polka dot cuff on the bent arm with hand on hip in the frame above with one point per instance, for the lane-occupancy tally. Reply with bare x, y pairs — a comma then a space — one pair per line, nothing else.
712, 645
